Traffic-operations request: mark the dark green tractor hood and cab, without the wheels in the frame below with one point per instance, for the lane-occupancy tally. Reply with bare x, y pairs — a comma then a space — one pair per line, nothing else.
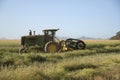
39, 40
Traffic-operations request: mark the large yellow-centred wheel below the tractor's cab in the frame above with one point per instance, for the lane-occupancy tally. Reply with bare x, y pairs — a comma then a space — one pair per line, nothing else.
51, 47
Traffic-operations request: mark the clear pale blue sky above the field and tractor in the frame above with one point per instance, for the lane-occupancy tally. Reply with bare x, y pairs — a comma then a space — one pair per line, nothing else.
74, 18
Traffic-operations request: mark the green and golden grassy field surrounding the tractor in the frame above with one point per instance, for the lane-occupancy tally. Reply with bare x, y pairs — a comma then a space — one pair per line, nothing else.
99, 61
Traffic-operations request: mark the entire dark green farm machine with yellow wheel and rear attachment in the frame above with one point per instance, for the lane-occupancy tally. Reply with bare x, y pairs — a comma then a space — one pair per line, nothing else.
49, 43
